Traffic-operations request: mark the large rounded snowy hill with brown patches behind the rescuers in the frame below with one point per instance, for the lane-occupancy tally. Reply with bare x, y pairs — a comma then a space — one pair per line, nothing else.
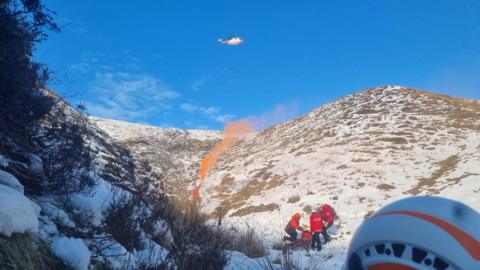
358, 154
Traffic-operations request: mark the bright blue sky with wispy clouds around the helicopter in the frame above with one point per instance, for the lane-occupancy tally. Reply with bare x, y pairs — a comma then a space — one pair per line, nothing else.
159, 62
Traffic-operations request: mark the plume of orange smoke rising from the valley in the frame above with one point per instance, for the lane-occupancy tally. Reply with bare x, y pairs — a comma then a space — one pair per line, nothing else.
231, 132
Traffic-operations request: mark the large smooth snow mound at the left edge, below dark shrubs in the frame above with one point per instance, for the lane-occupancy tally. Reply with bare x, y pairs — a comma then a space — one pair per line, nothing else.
17, 212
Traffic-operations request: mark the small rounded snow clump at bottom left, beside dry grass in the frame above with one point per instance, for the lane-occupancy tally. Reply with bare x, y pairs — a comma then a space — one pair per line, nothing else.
72, 251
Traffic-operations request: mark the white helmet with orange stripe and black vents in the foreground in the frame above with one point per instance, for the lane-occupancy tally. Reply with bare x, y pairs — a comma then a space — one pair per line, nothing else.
418, 233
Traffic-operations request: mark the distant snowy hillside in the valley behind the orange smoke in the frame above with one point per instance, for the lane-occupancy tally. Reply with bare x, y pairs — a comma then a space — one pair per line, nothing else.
174, 154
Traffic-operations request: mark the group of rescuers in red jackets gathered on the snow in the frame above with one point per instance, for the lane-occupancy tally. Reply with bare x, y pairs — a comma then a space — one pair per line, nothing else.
321, 219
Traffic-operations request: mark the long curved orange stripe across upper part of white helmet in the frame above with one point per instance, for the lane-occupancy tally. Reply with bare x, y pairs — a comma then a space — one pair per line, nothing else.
467, 241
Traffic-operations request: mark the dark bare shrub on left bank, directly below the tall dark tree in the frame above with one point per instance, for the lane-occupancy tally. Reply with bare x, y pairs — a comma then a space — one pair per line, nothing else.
68, 160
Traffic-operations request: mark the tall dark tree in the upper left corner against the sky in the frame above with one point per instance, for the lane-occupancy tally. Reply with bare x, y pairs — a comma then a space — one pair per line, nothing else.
22, 80
